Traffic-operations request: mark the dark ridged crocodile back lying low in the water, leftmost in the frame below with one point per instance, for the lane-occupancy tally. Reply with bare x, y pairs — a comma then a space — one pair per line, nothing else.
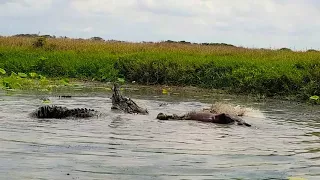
59, 112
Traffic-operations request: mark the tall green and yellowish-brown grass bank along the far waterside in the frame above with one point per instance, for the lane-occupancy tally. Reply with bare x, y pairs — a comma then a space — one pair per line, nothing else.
239, 70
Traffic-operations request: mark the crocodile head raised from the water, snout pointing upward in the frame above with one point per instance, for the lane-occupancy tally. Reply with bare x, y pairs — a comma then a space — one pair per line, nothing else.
125, 104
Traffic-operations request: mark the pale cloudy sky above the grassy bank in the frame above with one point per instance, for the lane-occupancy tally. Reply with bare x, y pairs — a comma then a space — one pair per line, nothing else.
249, 23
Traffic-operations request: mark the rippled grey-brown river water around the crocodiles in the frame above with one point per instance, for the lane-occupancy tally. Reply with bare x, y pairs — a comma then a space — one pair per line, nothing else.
283, 142
